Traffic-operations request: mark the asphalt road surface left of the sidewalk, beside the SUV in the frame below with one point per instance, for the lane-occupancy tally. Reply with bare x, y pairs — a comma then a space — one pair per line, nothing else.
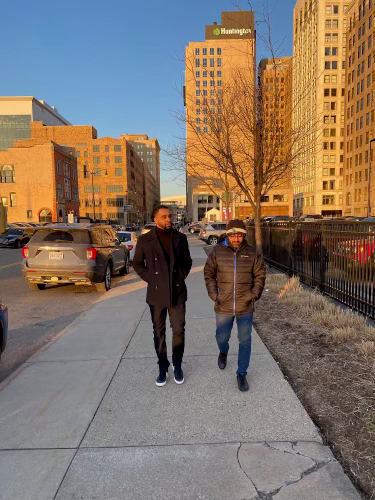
35, 317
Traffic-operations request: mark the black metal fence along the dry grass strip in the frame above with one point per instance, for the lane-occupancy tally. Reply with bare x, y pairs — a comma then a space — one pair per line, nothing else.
338, 257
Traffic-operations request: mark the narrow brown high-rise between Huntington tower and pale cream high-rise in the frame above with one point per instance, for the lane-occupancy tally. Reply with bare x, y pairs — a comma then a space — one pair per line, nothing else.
275, 95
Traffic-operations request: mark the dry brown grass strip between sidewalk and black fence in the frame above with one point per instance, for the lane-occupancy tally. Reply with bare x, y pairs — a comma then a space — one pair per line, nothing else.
327, 353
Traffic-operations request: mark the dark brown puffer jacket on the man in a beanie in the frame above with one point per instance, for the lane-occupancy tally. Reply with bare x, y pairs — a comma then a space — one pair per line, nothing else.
234, 279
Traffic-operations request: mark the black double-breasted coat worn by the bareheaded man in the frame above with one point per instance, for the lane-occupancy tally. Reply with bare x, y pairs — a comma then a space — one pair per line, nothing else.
165, 289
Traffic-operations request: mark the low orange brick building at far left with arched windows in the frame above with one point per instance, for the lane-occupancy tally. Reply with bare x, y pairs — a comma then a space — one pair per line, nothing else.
39, 182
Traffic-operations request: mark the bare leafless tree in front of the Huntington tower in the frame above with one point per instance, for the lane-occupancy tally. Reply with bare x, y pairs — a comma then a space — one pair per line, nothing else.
239, 134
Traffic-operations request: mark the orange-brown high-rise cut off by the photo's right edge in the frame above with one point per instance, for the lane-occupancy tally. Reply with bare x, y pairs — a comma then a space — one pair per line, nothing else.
359, 185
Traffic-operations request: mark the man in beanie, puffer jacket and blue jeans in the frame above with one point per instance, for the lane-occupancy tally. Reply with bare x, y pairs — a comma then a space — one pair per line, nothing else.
235, 274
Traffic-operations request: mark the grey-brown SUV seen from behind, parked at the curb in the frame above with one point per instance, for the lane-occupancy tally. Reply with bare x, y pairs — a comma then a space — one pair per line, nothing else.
83, 254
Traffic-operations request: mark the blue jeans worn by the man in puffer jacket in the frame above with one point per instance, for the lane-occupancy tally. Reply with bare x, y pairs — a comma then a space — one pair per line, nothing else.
224, 324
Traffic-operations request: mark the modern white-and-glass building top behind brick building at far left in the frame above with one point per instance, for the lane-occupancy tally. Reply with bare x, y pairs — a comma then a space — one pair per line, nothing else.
16, 114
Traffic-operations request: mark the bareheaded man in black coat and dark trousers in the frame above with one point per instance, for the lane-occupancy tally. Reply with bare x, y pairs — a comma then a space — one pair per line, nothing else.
162, 259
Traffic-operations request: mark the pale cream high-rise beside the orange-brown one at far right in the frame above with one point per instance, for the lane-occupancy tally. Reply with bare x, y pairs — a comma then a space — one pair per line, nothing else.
319, 52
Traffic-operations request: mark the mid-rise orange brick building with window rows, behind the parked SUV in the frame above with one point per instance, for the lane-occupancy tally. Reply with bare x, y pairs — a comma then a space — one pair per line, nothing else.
114, 182
